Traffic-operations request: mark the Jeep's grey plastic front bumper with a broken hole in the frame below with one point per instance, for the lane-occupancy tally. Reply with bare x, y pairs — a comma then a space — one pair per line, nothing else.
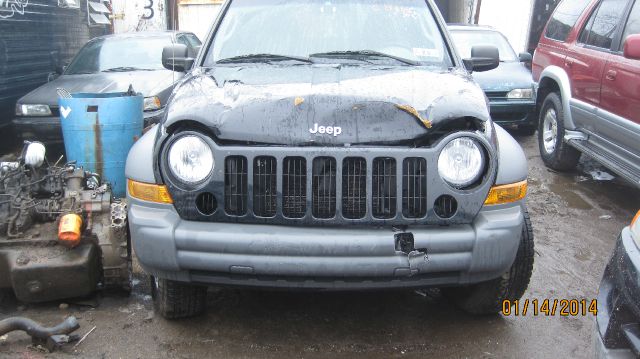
338, 258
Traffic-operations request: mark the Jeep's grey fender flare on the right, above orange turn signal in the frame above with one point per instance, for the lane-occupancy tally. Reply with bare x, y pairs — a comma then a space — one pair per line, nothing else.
512, 162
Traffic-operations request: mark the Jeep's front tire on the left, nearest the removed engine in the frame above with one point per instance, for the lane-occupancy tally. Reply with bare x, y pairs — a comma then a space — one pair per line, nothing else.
175, 300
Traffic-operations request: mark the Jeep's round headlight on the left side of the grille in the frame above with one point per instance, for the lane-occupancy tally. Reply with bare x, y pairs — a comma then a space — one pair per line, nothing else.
190, 159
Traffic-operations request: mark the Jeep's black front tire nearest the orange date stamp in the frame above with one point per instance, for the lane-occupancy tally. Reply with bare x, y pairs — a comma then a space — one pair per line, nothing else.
487, 297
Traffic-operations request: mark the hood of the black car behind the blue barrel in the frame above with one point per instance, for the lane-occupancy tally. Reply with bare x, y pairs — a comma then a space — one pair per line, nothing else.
149, 83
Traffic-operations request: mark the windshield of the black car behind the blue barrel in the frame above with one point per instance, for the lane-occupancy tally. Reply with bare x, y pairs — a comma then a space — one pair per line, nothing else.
122, 54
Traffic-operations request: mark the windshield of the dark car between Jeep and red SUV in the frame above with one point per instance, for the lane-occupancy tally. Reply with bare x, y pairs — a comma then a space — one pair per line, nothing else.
465, 40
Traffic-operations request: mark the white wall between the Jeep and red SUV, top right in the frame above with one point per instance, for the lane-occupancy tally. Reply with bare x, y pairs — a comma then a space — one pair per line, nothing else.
511, 17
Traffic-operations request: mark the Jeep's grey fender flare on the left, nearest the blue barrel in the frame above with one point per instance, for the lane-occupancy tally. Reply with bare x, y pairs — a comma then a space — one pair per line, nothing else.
139, 165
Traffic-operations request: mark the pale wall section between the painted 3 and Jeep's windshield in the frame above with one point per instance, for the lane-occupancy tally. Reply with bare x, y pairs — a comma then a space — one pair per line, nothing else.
198, 16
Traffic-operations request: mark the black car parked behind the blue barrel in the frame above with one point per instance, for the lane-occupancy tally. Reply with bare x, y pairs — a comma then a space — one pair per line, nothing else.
106, 64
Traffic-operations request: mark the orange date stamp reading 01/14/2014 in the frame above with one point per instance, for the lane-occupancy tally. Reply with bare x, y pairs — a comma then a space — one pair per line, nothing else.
550, 307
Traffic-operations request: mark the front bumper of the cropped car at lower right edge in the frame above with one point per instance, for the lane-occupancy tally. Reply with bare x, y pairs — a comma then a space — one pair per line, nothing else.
618, 320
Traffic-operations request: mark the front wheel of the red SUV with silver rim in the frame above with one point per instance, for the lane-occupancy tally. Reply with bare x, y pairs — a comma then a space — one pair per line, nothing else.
555, 153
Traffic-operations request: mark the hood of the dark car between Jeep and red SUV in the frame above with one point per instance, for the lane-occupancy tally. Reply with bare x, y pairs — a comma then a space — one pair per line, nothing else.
506, 77
